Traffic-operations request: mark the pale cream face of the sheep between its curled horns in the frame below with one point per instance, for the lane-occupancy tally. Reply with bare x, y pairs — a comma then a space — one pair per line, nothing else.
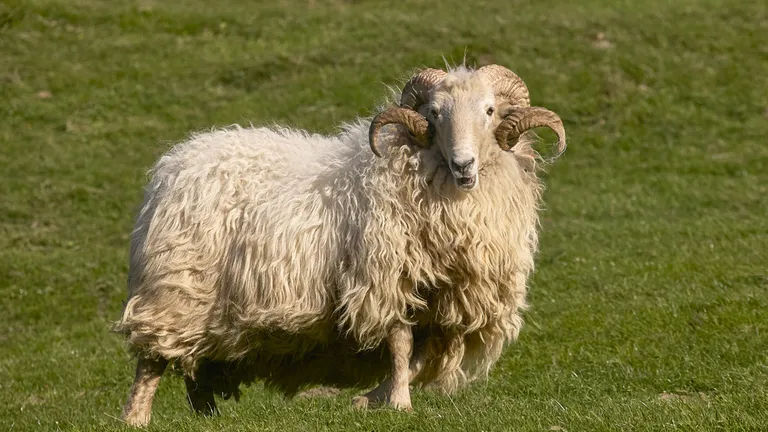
462, 113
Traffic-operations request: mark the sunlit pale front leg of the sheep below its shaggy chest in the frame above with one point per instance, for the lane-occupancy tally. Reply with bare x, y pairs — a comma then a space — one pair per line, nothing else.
394, 390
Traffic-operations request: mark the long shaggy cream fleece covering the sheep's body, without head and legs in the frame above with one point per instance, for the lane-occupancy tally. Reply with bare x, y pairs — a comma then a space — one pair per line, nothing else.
254, 246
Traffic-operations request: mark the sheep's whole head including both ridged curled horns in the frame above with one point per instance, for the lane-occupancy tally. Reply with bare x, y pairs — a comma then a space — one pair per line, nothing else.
468, 114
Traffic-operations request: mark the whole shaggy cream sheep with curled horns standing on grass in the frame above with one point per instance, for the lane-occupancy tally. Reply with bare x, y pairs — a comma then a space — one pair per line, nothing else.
299, 259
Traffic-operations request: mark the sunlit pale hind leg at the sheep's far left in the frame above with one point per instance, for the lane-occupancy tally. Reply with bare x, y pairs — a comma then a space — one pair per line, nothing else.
138, 407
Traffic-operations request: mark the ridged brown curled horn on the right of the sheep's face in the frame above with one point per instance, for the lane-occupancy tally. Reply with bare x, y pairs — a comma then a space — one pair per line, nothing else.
516, 112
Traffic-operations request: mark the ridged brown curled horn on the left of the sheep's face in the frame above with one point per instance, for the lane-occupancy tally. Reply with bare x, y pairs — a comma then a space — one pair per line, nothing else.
415, 94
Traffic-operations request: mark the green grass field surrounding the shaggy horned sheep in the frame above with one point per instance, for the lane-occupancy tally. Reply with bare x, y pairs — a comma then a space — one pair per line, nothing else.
650, 301
